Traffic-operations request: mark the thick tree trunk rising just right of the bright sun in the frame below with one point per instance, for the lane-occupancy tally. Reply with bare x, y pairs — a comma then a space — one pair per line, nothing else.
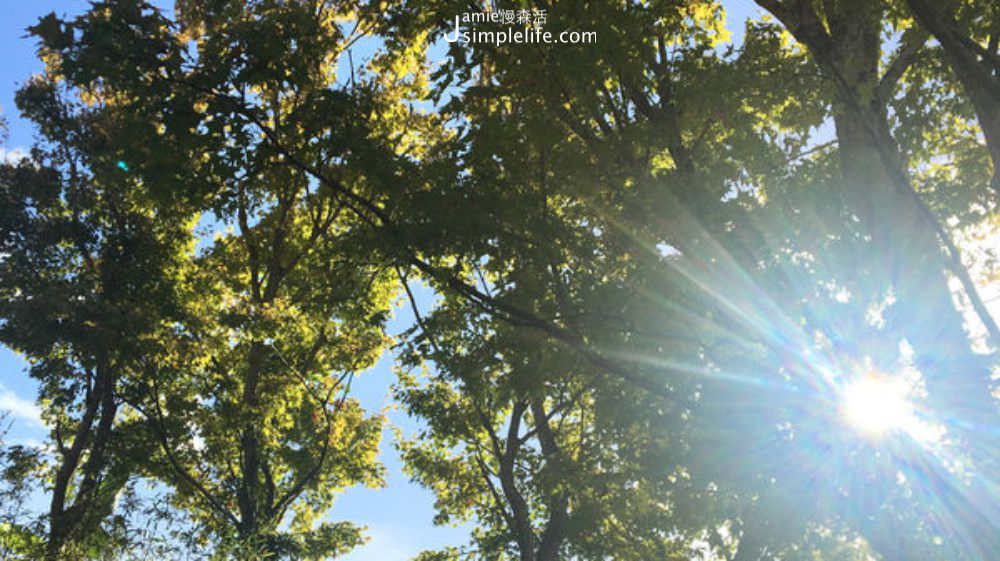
911, 253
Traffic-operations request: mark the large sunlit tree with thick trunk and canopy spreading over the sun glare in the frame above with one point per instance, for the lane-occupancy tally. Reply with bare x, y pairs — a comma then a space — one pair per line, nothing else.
600, 101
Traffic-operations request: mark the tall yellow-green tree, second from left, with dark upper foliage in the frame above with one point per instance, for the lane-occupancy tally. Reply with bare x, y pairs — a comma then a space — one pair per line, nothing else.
242, 393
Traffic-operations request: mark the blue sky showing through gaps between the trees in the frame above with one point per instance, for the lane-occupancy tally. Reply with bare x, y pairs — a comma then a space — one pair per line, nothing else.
398, 517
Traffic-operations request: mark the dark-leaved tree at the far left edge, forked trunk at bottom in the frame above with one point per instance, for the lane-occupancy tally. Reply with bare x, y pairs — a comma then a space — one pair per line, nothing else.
89, 276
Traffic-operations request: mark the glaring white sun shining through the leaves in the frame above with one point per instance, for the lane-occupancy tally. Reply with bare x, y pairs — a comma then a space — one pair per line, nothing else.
876, 406
